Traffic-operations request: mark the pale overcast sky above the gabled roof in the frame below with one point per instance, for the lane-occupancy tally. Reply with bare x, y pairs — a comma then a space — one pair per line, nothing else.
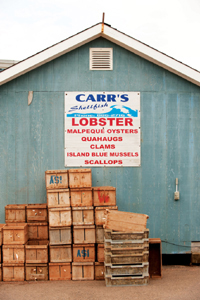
30, 26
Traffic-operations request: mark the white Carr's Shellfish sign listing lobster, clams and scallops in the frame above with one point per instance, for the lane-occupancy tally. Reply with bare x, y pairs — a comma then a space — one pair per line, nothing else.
102, 129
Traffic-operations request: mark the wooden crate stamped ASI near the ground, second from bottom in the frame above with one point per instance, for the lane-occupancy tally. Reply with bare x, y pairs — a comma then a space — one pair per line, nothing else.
84, 253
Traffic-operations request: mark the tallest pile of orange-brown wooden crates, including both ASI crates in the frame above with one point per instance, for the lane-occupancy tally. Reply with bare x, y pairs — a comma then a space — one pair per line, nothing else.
76, 233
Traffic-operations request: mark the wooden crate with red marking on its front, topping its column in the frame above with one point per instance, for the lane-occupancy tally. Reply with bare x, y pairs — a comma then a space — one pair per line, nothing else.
104, 196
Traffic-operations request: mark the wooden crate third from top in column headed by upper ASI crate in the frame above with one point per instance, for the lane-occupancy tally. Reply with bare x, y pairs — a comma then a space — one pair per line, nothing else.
59, 217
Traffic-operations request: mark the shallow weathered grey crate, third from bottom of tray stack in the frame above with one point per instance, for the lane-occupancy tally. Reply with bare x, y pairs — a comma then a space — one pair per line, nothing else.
121, 259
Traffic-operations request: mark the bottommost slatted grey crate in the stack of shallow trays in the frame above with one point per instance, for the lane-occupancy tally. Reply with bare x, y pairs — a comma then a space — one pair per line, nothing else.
126, 280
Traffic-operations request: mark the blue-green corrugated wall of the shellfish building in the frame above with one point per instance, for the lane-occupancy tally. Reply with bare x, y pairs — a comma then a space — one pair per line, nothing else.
32, 139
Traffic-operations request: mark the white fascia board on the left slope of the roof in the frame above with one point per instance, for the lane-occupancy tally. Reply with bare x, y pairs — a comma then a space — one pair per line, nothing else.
50, 53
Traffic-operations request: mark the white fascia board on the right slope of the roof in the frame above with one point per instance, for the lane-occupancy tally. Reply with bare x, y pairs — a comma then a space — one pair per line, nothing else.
152, 55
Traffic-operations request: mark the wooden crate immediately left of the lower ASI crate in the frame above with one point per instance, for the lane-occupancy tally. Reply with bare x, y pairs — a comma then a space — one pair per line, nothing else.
60, 253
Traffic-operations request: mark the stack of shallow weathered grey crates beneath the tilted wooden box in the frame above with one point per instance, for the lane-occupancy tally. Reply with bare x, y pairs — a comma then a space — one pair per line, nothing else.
126, 258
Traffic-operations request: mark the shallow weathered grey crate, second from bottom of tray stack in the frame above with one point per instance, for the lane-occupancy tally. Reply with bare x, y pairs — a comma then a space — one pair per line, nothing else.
136, 269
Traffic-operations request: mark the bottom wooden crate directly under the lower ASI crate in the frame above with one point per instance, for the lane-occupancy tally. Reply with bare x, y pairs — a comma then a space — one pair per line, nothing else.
83, 271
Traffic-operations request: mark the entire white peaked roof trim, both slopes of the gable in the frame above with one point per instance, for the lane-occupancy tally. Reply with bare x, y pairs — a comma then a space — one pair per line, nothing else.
111, 34
